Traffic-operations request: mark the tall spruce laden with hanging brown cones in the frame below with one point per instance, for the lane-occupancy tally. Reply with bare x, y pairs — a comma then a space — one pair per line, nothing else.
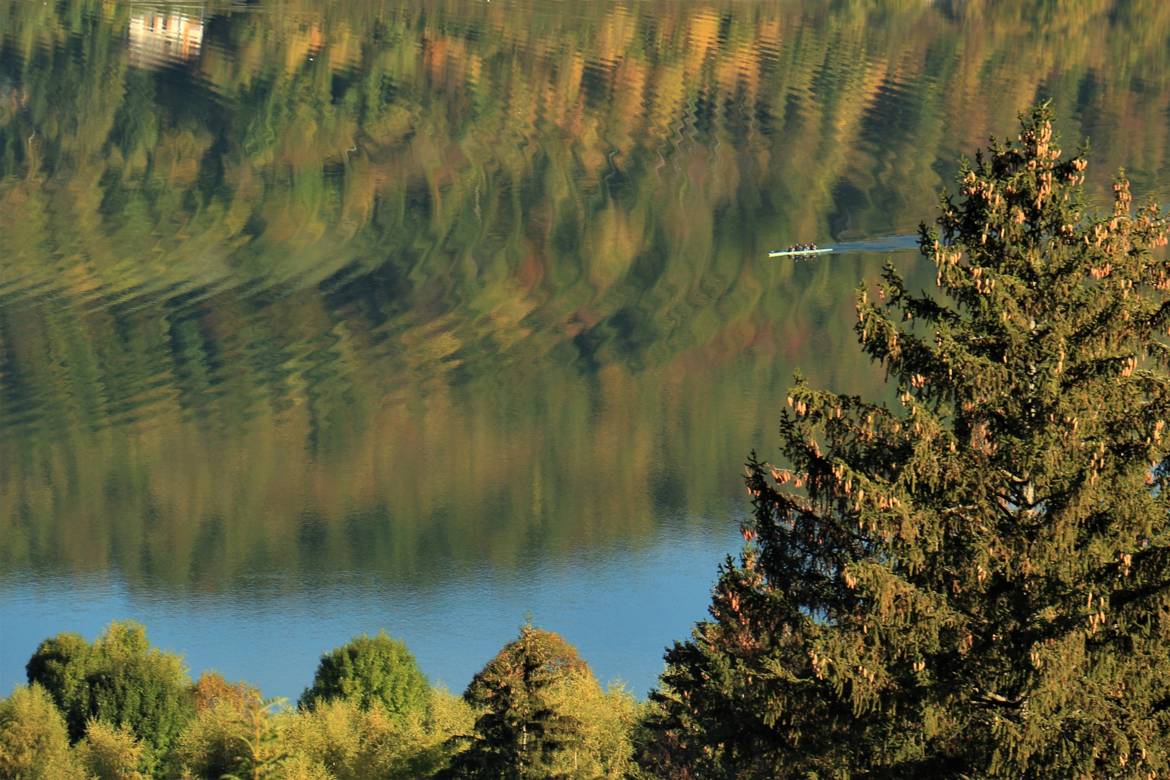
976, 584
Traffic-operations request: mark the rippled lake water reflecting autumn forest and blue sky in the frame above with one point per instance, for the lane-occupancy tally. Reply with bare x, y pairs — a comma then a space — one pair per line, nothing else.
333, 316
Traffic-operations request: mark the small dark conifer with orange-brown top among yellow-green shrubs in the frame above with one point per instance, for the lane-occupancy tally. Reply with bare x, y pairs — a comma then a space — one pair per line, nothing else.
520, 729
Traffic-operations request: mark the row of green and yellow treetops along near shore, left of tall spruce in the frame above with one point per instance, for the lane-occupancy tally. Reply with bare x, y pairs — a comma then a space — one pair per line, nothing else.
120, 709
